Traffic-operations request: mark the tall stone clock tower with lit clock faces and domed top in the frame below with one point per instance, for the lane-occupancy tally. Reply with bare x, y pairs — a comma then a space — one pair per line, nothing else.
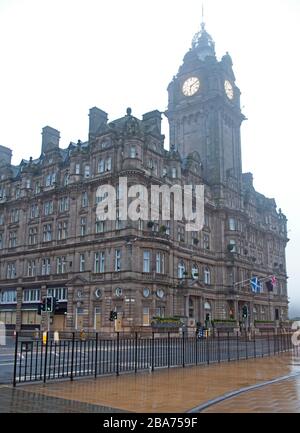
204, 111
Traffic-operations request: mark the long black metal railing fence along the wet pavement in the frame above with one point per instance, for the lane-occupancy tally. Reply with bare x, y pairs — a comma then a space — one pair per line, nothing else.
76, 355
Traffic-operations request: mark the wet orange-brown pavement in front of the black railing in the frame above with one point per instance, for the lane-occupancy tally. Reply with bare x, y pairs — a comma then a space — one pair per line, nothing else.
174, 390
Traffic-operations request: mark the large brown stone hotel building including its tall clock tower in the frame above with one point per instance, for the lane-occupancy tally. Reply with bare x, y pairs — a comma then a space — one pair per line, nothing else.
51, 242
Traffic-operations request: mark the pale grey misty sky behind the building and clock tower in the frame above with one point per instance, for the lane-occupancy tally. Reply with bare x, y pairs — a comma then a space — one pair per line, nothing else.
61, 57
